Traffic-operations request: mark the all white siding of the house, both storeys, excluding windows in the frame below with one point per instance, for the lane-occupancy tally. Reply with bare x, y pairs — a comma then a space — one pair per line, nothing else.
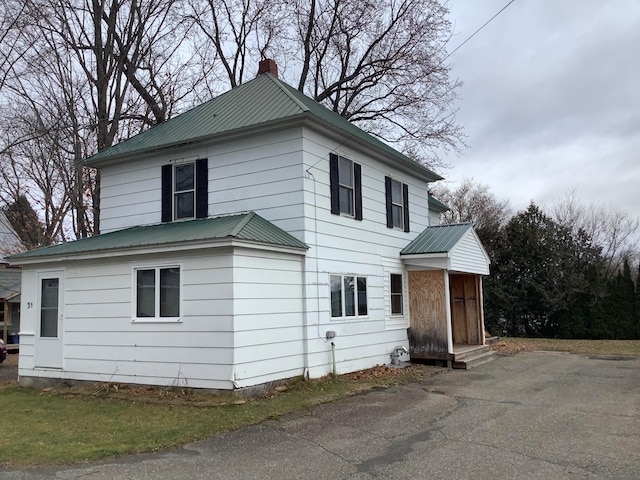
244, 314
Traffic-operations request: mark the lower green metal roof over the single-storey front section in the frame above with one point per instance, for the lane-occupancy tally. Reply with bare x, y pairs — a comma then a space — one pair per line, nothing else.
247, 226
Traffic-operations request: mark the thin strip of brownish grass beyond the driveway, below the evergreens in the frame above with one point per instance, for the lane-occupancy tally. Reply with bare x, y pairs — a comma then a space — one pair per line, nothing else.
585, 347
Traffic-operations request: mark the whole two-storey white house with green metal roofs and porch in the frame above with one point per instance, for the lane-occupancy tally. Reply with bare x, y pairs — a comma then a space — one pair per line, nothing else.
254, 238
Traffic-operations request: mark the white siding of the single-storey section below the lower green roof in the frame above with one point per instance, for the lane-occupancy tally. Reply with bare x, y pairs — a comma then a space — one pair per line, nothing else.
256, 294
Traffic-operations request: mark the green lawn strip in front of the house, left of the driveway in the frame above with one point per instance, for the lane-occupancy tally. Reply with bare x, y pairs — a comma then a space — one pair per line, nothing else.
40, 428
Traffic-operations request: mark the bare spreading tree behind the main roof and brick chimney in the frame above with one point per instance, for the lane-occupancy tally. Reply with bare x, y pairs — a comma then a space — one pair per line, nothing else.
379, 64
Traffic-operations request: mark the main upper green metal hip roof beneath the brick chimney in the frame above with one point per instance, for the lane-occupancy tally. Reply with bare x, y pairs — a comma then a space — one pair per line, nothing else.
259, 102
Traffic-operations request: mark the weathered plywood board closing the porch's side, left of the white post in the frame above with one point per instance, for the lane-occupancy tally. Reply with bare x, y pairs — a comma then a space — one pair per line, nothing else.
427, 305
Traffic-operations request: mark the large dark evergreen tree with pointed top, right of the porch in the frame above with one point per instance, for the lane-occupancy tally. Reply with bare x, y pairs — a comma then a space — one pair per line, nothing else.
545, 279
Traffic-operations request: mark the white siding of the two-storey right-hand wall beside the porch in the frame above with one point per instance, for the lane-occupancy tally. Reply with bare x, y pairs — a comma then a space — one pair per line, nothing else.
340, 246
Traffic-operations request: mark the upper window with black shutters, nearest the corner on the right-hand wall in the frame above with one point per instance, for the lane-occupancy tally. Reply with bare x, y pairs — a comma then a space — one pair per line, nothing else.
346, 186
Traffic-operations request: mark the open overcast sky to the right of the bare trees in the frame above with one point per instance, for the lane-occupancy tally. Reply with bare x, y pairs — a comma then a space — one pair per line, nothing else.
551, 99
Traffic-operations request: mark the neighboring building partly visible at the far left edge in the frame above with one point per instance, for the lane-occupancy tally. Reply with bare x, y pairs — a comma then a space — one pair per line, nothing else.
9, 284
